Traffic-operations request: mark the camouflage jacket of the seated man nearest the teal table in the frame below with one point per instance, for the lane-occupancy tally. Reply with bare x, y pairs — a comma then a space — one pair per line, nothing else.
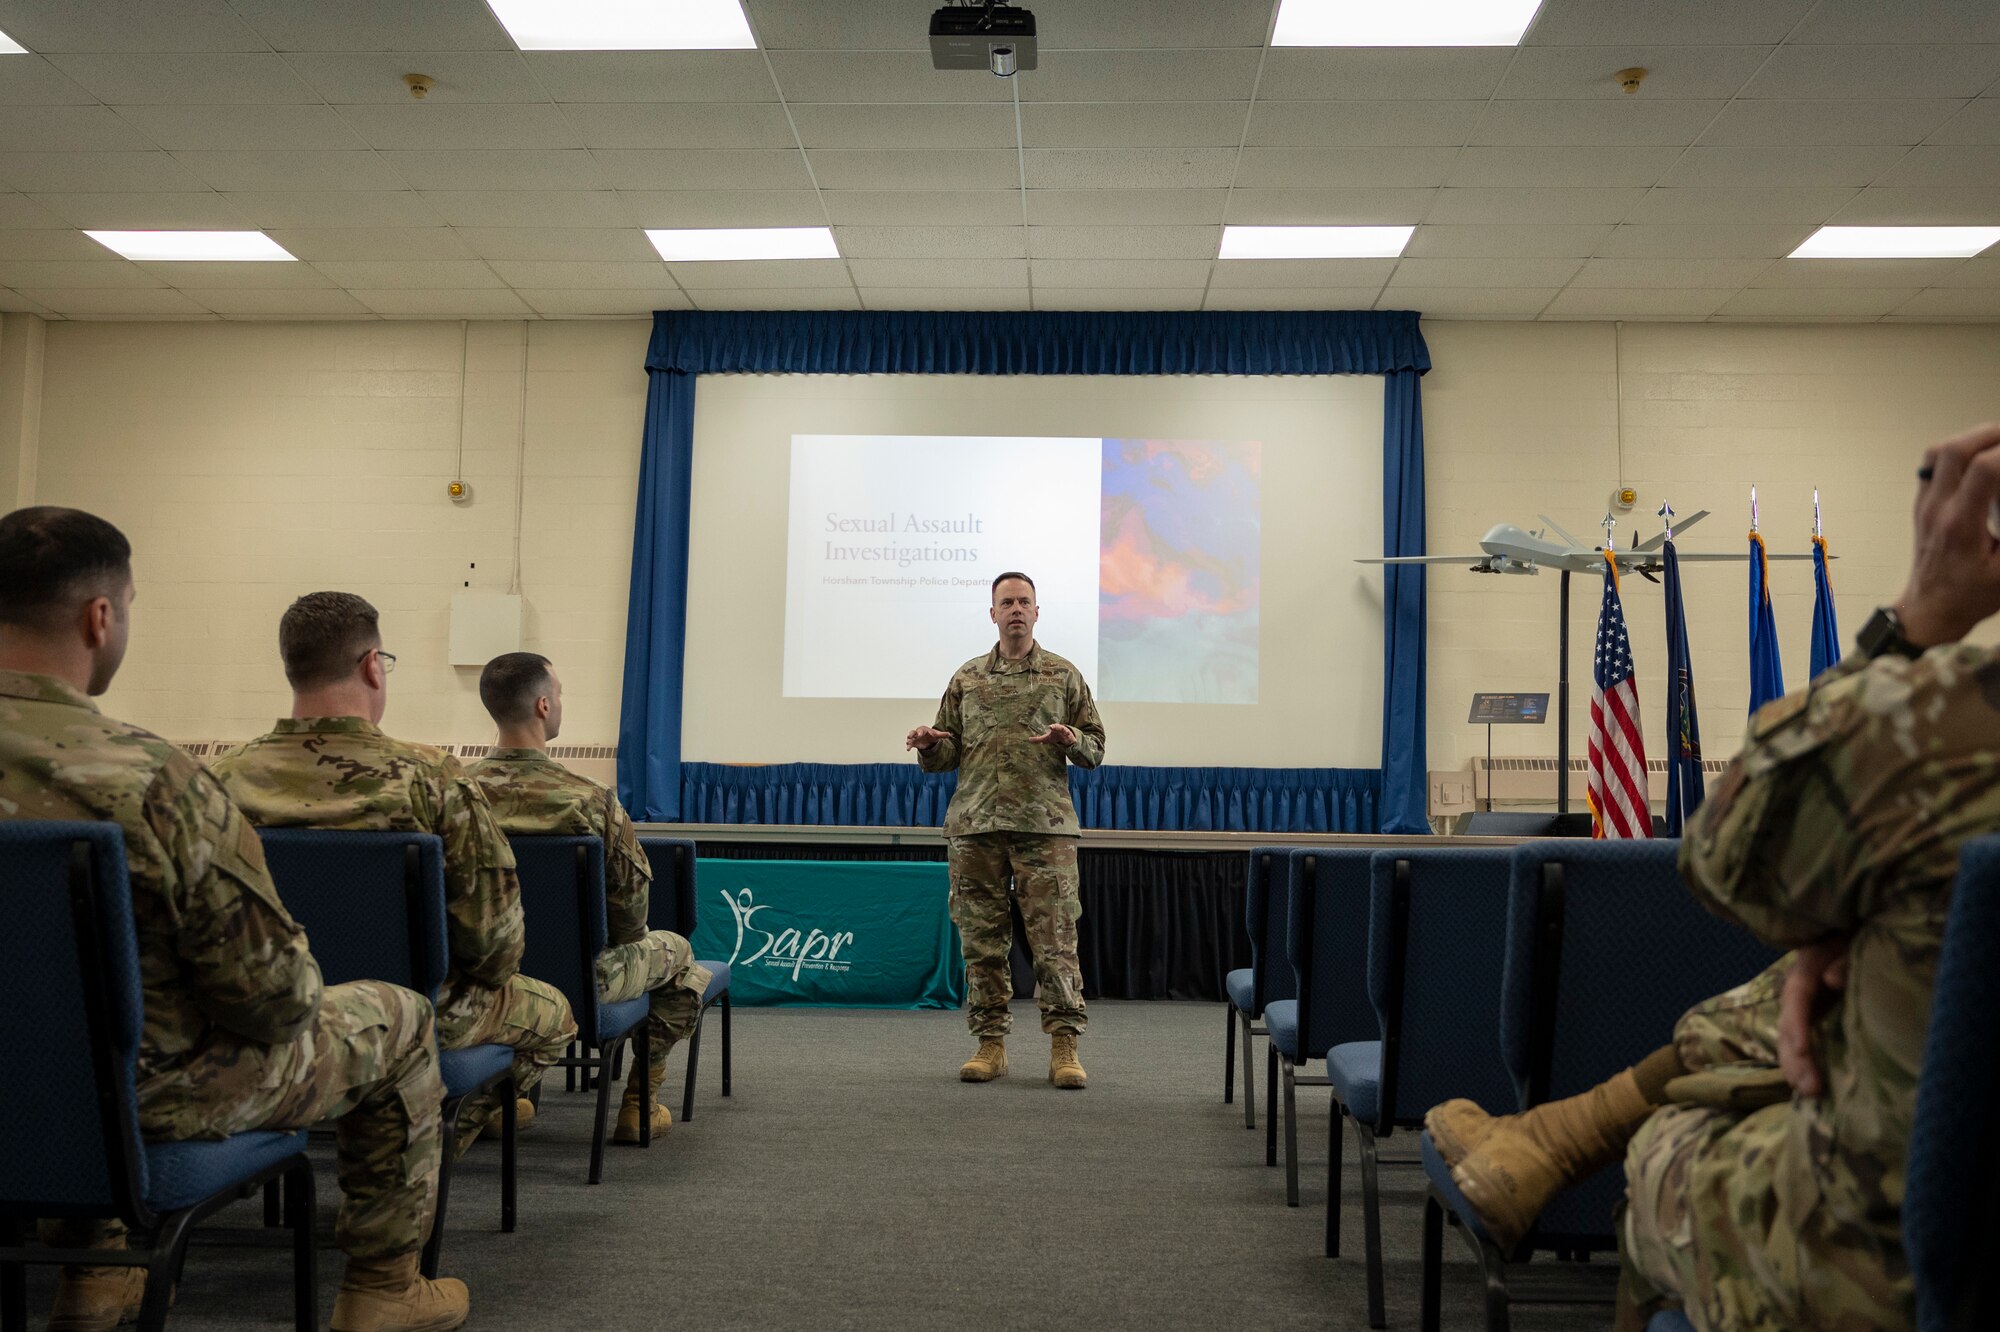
533, 793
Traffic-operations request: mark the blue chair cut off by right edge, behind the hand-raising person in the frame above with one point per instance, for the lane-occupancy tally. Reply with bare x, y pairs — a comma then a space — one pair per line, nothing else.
1949, 1223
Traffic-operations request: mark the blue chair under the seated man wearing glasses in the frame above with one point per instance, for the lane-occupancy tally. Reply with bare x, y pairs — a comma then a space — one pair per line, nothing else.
373, 905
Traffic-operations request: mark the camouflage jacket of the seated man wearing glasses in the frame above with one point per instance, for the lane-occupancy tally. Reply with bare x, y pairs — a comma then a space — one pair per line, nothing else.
343, 773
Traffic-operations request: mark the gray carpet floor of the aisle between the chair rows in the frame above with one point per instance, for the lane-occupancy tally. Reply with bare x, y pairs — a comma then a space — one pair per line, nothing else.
855, 1183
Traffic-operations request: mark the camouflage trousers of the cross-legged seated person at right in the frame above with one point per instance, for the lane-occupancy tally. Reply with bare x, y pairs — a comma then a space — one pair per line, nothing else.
1709, 1221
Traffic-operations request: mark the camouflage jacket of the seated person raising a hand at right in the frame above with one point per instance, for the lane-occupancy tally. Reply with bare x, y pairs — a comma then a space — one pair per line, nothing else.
1845, 817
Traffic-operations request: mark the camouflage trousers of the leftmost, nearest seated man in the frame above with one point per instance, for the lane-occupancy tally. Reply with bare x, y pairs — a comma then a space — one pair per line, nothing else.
371, 1065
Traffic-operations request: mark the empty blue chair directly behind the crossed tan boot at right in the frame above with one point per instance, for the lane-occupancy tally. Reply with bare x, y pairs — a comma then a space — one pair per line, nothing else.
1605, 951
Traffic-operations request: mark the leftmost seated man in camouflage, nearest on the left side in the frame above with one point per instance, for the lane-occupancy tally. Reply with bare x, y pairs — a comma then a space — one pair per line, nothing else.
239, 1029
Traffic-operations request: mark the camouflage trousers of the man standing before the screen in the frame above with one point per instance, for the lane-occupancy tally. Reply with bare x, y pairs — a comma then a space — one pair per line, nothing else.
1045, 885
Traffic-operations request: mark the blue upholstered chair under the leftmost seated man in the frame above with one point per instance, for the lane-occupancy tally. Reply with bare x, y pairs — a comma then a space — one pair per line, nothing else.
71, 993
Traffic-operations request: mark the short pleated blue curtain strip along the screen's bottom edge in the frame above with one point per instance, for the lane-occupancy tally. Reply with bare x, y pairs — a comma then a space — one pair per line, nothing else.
1155, 799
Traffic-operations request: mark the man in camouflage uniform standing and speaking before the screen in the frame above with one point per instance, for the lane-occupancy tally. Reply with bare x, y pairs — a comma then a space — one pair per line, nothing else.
1011, 723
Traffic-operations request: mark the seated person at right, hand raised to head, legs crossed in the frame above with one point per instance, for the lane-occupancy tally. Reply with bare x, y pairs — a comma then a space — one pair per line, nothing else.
1765, 1147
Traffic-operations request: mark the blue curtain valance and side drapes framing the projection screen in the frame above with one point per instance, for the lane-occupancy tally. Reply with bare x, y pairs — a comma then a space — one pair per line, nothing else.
689, 343
